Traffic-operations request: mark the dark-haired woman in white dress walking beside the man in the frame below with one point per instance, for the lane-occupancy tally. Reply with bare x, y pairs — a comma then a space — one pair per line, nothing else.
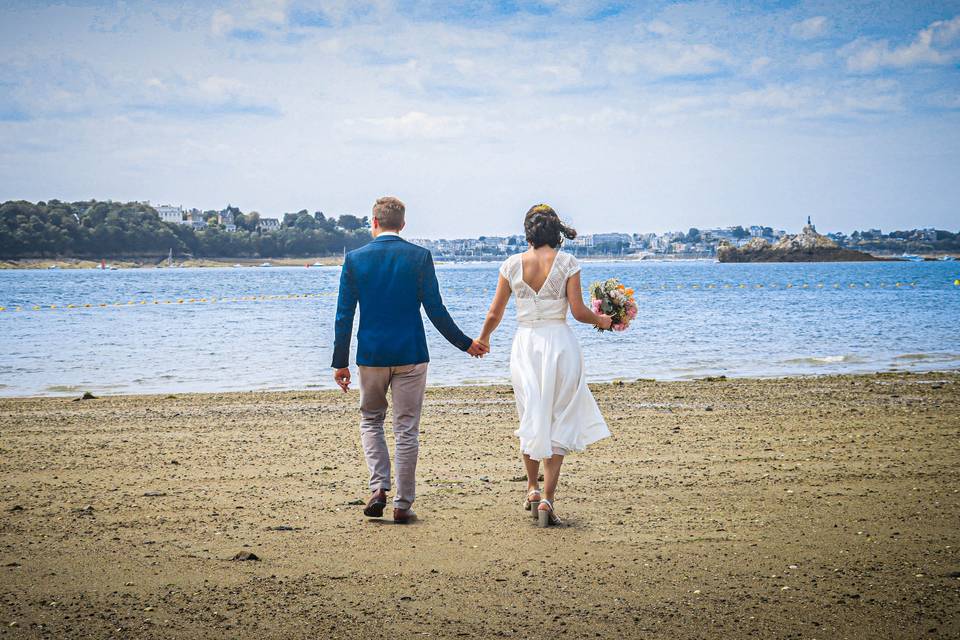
557, 412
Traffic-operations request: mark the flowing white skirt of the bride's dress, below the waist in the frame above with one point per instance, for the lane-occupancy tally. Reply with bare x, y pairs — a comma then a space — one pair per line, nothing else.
557, 411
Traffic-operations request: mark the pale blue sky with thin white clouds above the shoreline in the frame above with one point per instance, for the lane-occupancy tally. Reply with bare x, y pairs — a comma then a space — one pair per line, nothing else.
625, 116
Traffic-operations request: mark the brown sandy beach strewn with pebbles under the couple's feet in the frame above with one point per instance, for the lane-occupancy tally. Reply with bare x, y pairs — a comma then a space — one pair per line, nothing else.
790, 508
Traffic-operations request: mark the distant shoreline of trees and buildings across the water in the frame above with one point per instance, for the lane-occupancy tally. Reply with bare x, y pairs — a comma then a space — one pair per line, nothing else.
95, 229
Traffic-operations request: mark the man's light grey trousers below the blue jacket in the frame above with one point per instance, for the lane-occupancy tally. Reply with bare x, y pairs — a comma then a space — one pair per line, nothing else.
407, 384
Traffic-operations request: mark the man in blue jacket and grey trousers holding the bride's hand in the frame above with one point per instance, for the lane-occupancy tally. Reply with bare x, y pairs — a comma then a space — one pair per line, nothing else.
391, 278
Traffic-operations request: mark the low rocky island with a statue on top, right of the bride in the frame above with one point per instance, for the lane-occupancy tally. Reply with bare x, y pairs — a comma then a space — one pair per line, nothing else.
806, 246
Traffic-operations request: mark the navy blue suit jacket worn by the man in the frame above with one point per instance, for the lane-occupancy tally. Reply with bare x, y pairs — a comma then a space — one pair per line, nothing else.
390, 278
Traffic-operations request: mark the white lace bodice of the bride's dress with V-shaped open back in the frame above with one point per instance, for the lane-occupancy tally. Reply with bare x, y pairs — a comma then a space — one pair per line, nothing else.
548, 304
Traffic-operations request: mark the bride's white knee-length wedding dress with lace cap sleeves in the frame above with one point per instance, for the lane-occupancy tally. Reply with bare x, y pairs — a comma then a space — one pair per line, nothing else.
557, 411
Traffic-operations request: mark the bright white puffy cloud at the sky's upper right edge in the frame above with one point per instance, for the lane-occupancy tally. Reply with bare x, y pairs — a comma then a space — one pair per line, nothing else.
935, 45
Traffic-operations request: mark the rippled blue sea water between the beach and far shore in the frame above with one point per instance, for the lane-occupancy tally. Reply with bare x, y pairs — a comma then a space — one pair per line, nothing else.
160, 330
